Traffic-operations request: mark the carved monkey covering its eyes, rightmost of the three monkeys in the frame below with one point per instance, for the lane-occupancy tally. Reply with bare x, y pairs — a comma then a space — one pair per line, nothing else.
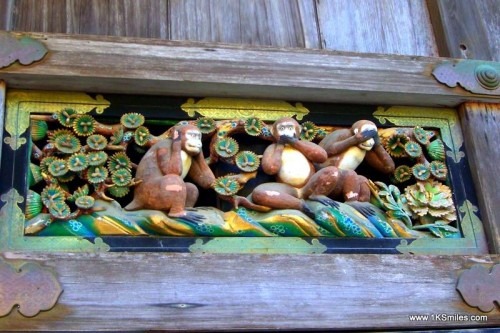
347, 149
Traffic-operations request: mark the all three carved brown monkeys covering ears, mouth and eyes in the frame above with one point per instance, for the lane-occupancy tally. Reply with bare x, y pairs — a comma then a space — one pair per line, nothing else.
303, 170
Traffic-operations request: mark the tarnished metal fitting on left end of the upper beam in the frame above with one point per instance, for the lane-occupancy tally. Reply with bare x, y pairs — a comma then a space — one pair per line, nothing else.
26, 50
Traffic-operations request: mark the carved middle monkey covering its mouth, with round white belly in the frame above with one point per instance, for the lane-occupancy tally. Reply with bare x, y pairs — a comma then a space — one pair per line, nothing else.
292, 160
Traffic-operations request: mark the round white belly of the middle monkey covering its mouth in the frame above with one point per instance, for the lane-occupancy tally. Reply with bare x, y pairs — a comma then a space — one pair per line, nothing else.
295, 168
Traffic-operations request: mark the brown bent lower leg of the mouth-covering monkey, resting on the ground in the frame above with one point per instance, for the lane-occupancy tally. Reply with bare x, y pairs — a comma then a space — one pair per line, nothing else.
278, 196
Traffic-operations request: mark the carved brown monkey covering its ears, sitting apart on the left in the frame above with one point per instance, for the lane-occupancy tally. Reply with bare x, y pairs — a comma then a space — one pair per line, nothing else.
163, 169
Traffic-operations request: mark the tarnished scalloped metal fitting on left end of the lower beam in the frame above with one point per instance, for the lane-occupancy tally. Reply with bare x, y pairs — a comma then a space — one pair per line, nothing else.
29, 286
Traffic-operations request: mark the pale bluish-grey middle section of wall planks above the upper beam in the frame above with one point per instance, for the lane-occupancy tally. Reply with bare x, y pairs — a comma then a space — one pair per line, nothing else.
282, 23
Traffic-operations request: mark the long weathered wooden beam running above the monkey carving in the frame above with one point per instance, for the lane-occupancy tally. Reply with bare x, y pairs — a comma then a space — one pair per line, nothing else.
144, 66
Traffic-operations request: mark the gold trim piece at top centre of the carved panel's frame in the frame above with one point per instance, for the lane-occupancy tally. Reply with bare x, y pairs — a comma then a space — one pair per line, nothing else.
219, 108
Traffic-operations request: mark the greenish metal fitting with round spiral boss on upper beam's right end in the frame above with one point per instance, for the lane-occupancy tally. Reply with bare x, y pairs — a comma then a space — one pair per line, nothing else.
478, 77
